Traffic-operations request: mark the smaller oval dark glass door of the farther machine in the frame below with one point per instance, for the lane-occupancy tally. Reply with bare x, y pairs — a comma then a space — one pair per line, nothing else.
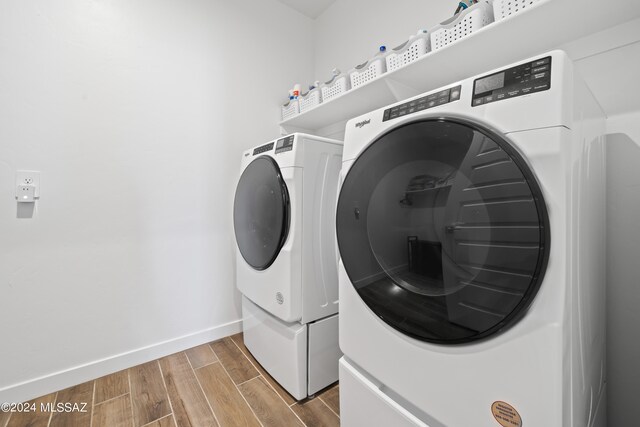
261, 212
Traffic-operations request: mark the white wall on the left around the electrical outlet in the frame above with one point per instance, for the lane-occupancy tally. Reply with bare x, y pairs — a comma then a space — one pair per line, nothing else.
136, 113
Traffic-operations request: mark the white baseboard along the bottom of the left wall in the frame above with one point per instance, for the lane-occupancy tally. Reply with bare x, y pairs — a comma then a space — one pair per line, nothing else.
77, 375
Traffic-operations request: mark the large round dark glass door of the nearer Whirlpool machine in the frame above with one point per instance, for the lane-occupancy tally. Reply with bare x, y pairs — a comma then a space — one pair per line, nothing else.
443, 231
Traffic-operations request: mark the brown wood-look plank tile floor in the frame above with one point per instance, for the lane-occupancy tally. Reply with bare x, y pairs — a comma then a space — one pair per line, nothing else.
215, 384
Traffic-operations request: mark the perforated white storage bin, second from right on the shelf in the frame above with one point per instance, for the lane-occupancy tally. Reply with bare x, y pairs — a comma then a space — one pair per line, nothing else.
461, 25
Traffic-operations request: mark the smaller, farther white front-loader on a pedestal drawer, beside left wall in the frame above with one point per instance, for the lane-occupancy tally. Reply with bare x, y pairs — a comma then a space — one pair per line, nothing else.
286, 259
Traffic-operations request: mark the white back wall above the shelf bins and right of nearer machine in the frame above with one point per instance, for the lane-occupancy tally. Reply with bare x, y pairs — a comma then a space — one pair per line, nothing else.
349, 32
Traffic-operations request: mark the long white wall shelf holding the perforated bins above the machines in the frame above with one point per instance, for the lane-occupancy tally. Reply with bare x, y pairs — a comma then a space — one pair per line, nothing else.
546, 26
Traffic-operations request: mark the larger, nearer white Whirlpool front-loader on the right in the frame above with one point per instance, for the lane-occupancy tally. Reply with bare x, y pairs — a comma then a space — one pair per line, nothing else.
471, 229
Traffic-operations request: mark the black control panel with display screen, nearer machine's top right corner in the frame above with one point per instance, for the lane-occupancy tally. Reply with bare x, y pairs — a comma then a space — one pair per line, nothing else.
516, 81
